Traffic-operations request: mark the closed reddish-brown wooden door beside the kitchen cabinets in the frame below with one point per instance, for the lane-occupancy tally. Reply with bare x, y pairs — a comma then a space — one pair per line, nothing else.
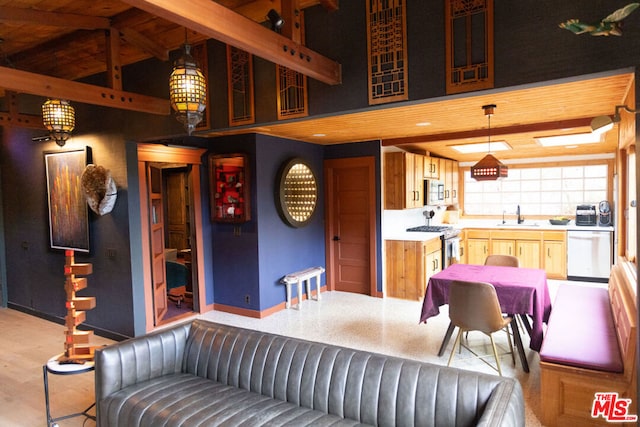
350, 225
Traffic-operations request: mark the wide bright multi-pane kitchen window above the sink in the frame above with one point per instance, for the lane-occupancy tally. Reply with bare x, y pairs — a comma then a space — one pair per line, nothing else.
551, 191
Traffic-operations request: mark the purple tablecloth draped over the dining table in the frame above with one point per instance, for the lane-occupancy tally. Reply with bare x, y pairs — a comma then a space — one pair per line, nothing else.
519, 290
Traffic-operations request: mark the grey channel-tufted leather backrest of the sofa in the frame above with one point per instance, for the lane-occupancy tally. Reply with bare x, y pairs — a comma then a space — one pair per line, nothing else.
366, 387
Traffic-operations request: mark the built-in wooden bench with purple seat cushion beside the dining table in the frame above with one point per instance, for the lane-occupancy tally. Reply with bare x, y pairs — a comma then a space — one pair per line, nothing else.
589, 347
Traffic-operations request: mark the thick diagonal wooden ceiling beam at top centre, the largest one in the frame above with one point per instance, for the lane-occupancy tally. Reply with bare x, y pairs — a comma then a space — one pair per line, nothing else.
220, 23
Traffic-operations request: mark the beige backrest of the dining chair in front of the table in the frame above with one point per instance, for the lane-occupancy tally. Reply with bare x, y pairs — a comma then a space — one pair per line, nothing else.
474, 306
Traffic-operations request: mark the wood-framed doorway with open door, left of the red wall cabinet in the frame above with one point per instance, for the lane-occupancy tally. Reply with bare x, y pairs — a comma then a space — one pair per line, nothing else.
171, 215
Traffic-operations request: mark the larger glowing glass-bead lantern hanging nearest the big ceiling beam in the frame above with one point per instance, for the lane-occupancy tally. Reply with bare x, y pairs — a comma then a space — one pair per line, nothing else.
187, 90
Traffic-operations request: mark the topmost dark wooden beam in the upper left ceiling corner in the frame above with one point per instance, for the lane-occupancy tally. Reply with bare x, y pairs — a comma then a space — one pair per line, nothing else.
53, 19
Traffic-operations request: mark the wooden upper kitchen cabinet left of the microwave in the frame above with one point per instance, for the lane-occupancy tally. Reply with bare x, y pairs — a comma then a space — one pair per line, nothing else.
403, 180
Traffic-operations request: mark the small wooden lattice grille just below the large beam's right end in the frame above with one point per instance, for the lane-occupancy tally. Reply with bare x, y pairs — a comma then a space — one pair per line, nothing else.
292, 94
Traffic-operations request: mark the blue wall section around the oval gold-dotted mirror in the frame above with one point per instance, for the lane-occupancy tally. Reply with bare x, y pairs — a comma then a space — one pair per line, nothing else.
283, 249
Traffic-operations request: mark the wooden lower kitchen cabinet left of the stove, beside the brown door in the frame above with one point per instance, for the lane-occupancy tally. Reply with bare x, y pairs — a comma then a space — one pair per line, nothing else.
409, 265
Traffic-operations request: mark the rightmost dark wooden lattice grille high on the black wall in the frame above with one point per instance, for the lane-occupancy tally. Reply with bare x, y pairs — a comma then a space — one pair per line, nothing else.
469, 45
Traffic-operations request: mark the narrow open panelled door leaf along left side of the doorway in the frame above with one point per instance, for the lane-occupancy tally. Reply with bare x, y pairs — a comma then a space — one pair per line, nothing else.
156, 227
